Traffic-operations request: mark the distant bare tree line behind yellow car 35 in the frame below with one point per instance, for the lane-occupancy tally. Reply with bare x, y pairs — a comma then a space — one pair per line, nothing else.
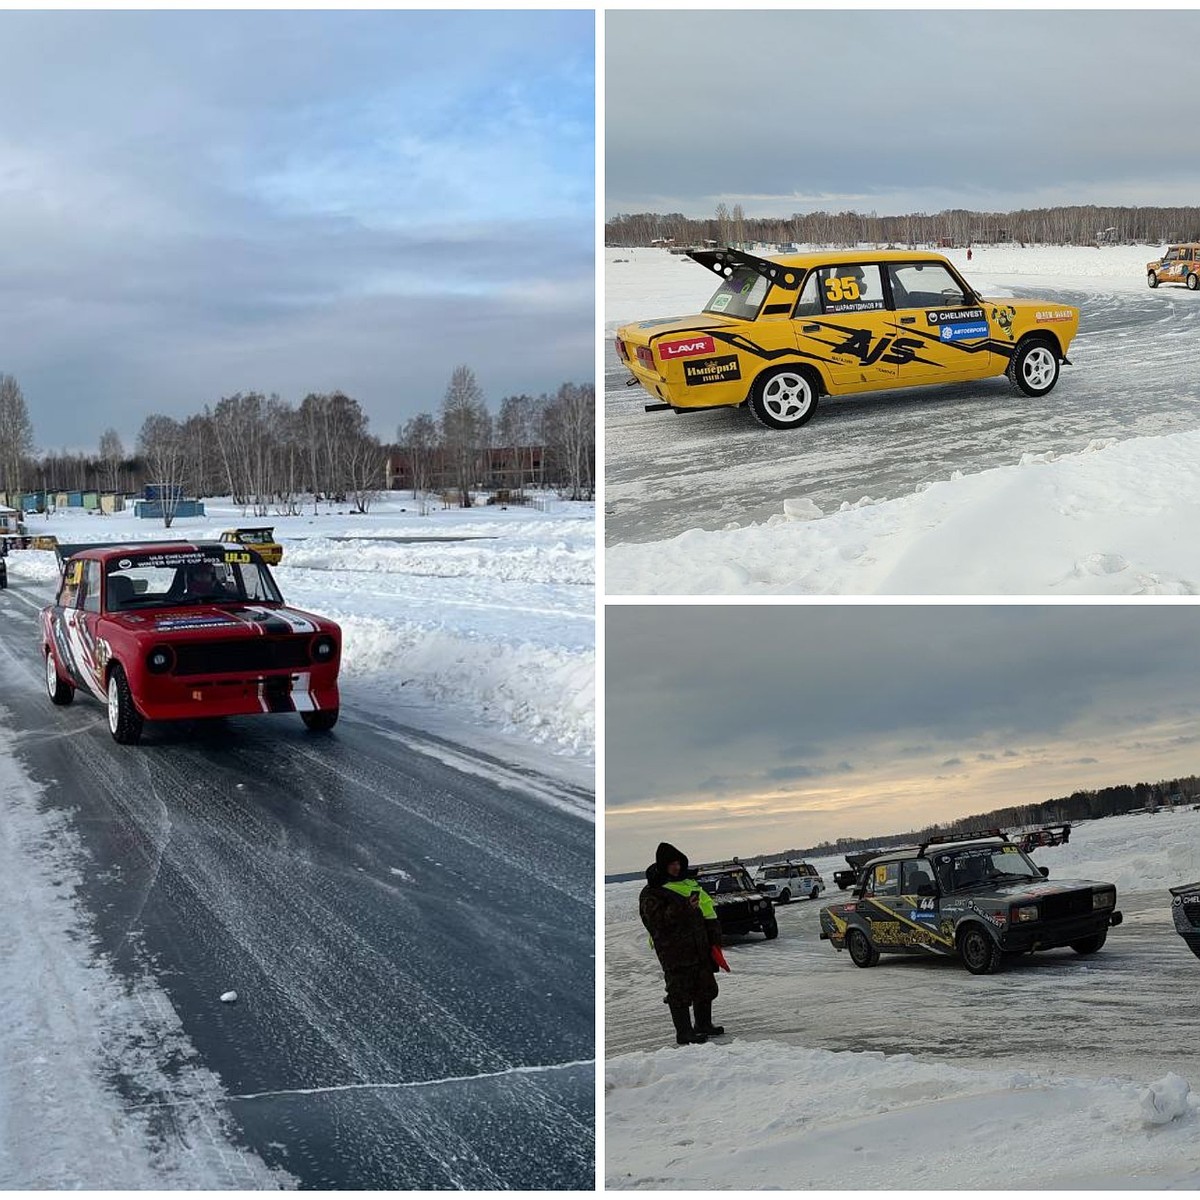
1076, 225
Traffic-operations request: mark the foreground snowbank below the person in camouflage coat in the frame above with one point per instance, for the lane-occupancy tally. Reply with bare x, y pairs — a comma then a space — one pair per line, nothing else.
770, 1115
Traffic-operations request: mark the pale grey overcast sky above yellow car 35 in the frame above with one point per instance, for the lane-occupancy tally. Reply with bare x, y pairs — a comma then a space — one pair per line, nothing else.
898, 112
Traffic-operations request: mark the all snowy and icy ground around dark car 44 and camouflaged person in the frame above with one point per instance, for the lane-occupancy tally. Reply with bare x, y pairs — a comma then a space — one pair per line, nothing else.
1057, 1073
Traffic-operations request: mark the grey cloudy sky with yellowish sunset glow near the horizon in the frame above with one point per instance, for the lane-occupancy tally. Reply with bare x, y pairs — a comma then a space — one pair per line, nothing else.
761, 729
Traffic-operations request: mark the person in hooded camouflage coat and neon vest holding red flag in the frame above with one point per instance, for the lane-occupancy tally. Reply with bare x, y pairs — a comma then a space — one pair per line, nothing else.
682, 922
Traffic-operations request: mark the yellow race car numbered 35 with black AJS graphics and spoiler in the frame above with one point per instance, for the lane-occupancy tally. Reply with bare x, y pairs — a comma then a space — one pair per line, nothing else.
781, 333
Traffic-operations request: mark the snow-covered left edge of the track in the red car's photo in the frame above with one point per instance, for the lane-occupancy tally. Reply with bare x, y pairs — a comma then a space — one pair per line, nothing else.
69, 1023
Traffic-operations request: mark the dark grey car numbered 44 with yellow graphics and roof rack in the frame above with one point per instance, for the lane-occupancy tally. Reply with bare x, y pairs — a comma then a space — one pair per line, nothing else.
979, 897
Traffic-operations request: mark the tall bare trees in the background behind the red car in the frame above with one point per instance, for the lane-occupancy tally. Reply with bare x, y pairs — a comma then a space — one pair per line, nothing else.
271, 457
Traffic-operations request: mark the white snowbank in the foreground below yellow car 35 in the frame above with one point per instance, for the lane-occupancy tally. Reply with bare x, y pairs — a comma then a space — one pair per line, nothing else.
1115, 520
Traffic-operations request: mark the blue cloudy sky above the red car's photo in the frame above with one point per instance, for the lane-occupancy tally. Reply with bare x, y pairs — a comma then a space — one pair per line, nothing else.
196, 205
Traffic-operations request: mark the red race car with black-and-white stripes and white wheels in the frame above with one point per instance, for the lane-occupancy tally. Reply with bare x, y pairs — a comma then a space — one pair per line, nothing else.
173, 631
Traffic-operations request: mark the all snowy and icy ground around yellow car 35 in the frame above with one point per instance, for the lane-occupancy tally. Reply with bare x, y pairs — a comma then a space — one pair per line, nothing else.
962, 490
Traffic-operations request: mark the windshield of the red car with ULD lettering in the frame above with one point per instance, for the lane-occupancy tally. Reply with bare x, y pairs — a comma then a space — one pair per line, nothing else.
173, 580
